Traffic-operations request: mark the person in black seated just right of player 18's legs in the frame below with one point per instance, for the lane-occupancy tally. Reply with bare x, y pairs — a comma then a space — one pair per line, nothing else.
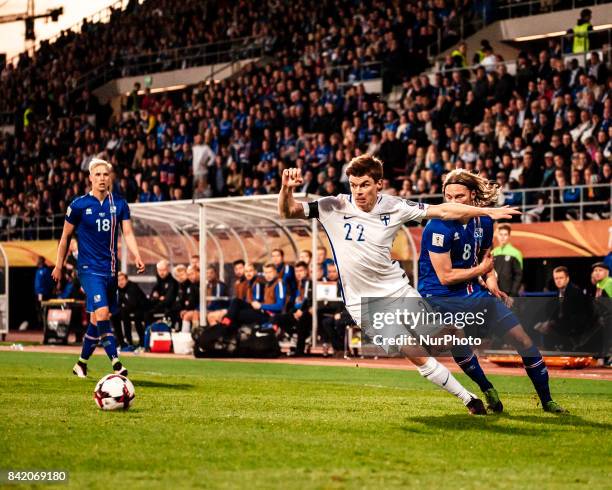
132, 303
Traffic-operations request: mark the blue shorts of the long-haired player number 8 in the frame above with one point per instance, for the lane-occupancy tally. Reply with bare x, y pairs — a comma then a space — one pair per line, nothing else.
498, 318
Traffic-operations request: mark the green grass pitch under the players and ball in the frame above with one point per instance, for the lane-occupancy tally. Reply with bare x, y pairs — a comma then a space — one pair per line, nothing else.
214, 424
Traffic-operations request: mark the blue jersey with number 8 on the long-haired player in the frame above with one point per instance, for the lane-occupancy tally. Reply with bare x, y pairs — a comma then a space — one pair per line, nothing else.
464, 242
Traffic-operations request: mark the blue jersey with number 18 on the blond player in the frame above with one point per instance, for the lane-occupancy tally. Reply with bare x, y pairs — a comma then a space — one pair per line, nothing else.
97, 227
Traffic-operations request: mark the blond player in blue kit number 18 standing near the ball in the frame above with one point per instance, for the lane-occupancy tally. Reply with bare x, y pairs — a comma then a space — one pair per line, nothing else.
96, 217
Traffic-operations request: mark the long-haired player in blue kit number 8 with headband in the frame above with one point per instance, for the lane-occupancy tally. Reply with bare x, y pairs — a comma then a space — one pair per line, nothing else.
455, 262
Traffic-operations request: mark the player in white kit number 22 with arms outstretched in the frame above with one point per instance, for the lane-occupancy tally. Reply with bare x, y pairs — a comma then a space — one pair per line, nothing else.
361, 227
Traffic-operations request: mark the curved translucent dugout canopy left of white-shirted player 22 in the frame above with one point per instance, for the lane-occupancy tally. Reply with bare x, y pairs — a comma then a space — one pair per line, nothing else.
236, 227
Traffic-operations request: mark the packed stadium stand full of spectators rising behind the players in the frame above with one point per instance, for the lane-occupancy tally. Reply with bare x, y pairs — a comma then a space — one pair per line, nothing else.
544, 125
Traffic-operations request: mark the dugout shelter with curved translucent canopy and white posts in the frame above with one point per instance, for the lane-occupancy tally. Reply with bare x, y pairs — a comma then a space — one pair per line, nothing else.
232, 228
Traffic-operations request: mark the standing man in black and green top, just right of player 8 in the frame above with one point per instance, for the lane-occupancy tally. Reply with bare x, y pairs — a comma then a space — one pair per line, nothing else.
508, 262
